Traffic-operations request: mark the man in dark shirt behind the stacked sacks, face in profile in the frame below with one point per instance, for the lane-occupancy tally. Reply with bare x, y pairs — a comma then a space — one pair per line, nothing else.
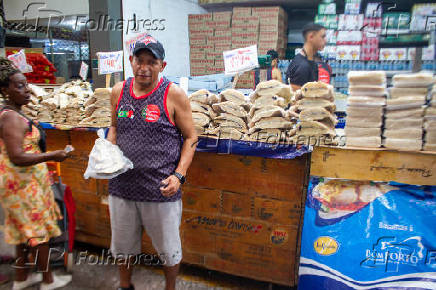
303, 67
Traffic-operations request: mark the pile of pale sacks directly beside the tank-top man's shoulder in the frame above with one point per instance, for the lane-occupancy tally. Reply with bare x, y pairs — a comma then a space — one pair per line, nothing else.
202, 113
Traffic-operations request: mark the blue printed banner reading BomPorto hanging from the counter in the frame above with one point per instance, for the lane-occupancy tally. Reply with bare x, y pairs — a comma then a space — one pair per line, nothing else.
368, 235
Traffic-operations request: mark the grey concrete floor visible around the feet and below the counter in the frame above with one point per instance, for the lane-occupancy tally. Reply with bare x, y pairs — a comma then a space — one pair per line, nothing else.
148, 278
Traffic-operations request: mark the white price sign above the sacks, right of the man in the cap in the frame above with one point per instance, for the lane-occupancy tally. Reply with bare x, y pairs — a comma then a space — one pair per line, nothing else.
240, 60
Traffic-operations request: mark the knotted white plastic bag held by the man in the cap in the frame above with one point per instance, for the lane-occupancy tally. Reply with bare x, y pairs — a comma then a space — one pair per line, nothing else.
106, 160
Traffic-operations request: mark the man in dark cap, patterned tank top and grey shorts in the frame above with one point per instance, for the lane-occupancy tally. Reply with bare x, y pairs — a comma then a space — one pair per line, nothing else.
152, 124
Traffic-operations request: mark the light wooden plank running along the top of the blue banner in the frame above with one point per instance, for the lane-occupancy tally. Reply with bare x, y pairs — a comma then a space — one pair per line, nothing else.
377, 164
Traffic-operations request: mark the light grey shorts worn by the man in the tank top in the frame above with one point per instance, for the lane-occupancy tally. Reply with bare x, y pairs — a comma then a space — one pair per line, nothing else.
161, 221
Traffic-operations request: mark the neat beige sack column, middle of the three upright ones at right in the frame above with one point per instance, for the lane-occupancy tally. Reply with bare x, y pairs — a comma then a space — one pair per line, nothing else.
404, 111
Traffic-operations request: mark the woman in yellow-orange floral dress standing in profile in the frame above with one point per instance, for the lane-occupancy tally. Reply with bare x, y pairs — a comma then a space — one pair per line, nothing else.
31, 213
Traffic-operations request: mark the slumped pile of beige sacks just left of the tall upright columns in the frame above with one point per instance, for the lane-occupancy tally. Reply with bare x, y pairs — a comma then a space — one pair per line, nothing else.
315, 105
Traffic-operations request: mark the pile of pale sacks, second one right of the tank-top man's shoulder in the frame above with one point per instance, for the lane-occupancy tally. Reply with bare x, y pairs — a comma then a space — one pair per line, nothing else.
232, 115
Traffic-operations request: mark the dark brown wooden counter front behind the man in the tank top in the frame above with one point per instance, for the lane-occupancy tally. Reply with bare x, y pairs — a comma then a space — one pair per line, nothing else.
241, 215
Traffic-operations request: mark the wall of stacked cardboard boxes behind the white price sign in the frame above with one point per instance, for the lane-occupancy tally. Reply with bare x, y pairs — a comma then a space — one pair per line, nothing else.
213, 33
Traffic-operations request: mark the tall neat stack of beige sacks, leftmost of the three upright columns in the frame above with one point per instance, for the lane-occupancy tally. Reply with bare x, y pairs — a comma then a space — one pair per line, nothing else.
366, 100
